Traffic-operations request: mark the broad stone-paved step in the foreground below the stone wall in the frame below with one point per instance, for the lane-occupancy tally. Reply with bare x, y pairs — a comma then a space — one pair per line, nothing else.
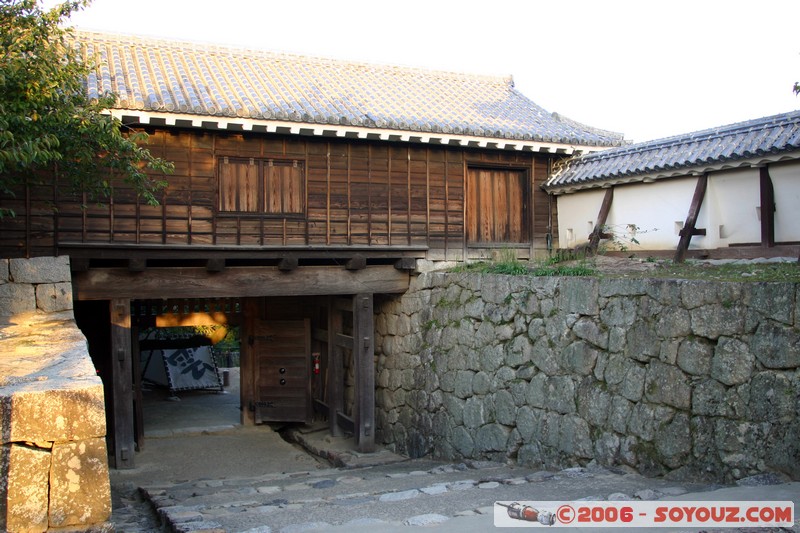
418, 492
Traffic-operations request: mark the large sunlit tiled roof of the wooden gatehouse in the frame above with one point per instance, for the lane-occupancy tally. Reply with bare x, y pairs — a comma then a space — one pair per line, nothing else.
258, 87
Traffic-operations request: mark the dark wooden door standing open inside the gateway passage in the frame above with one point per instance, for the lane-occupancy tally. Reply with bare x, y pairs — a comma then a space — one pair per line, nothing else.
282, 352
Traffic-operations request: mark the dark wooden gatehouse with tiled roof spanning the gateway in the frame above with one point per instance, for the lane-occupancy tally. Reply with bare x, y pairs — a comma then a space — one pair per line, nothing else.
302, 187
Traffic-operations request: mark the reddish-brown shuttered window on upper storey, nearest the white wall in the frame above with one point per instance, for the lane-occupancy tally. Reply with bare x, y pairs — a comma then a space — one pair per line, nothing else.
497, 206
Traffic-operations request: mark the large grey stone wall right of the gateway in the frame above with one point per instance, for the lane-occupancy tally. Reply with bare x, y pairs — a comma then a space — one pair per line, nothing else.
689, 379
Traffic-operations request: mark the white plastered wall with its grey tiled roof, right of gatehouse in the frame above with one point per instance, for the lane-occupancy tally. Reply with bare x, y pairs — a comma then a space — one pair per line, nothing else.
726, 192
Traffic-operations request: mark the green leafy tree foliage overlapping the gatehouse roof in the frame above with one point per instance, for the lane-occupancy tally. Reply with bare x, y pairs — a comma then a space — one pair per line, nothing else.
48, 123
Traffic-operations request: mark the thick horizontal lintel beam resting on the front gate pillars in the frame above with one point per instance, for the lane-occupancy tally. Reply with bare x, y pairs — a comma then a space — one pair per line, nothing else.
234, 282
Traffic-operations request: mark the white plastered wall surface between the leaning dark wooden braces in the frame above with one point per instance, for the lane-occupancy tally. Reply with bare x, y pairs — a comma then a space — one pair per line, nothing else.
729, 212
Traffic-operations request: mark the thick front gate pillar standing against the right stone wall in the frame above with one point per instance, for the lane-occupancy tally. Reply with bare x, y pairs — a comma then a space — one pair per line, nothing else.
364, 360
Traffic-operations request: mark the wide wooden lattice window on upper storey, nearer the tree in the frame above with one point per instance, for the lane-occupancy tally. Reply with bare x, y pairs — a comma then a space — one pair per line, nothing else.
266, 186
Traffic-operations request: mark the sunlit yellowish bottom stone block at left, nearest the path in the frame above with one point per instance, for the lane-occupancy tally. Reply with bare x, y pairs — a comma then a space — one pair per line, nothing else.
79, 484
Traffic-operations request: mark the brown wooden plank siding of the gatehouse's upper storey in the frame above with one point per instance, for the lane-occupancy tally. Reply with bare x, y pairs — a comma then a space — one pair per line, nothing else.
357, 193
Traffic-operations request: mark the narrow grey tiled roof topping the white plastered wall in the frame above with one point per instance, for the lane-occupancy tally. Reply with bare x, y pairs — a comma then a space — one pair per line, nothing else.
765, 138
